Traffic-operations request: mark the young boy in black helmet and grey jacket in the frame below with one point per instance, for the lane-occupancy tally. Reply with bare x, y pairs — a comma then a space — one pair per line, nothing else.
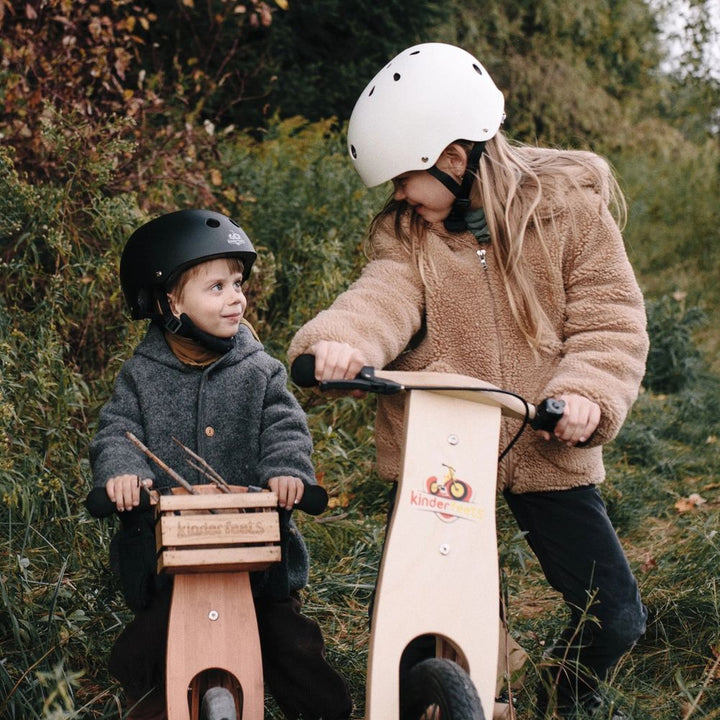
200, 376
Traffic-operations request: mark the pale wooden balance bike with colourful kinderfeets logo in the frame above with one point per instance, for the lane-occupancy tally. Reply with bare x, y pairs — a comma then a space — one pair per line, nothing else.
439, 571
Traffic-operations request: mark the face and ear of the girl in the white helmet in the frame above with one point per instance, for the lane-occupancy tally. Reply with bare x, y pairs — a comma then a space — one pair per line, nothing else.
427, 196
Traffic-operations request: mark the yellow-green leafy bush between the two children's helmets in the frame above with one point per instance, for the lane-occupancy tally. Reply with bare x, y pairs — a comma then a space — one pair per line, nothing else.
308, 218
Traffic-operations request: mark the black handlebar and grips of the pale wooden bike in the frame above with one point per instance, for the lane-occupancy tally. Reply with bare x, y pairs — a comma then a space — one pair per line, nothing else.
302, 371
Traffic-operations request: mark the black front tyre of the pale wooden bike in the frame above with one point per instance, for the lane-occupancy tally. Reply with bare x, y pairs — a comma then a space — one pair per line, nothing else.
438, 689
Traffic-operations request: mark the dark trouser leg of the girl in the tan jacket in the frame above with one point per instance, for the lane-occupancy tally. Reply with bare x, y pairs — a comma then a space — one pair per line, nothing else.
577, 547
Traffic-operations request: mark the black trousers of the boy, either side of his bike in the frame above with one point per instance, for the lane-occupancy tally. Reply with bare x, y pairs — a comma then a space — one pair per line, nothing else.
293, 653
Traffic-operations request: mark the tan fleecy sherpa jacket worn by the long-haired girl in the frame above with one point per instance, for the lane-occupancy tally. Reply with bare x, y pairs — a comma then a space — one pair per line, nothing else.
599, 320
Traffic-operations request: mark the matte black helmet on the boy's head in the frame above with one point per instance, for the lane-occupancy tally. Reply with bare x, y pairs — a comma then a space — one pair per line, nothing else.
157, 252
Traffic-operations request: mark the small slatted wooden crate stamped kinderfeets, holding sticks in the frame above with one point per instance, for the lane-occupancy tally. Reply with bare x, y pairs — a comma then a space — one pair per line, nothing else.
217, 532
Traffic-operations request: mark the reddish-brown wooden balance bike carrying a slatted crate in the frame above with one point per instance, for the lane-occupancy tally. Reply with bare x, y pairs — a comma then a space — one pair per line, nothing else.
209, 540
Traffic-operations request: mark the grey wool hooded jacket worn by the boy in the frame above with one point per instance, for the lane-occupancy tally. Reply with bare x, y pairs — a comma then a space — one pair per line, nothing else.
236, 413
